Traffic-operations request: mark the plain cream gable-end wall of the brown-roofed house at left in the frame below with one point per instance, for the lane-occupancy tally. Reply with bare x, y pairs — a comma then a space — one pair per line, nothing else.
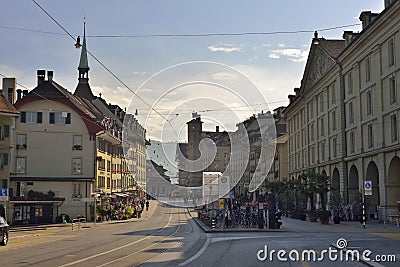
49, 155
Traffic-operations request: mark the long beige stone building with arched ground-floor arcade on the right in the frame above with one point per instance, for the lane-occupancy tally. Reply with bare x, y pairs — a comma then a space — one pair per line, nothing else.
344, 119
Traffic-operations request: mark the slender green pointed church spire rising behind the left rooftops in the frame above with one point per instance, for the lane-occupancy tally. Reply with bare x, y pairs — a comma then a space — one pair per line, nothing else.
83, 89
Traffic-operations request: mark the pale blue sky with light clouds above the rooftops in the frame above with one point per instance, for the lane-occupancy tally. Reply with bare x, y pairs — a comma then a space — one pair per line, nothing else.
168, 59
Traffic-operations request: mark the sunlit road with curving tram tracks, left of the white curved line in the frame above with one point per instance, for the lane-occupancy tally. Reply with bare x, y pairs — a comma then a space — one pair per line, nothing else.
106, 244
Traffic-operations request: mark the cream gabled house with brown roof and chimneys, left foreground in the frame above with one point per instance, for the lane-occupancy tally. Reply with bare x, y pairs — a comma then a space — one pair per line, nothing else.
54, 160
